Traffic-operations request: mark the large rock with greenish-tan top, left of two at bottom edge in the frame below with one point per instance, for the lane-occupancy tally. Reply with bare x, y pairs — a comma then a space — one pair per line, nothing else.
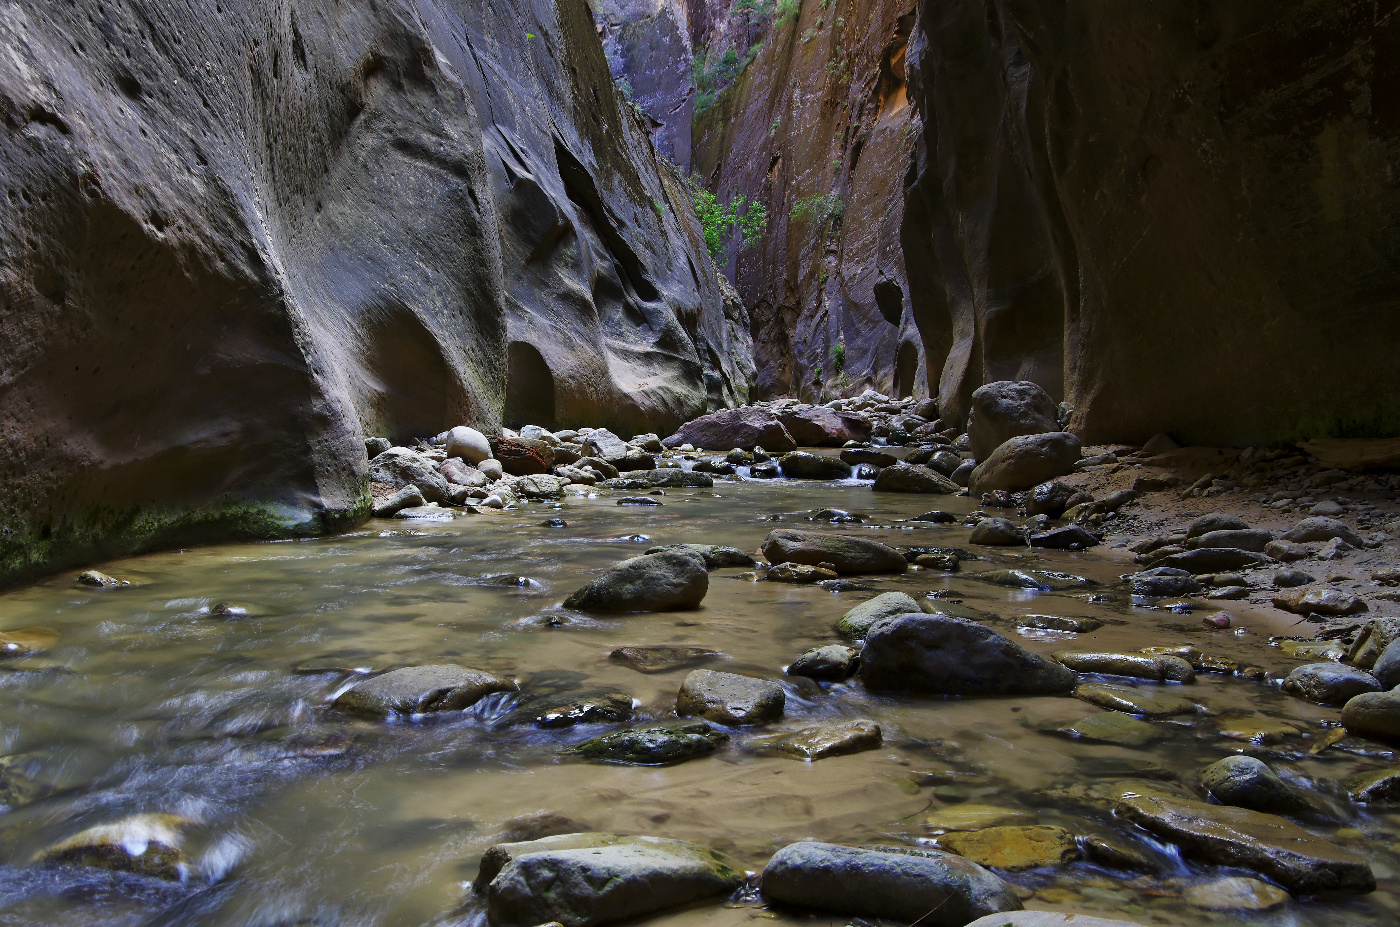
605, 881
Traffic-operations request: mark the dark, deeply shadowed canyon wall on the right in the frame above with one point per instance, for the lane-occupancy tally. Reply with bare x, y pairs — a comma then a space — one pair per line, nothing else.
1177, 216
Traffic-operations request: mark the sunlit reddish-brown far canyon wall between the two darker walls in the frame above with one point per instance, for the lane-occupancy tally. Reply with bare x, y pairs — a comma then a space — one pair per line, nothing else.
821, 130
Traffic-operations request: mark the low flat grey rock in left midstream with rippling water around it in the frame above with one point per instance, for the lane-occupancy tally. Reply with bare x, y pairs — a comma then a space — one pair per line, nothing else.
421, 691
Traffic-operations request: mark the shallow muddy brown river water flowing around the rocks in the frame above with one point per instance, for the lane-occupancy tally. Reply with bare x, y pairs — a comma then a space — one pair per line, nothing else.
150, 705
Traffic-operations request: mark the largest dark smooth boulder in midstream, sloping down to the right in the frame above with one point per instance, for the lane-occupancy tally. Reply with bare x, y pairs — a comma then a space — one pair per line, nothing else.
940, 655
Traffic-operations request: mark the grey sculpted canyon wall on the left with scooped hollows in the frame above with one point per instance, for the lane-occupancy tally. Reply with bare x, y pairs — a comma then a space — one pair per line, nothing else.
243, 236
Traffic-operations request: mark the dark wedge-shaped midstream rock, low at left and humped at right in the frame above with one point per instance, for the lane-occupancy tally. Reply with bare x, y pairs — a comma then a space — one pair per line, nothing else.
671, 582
